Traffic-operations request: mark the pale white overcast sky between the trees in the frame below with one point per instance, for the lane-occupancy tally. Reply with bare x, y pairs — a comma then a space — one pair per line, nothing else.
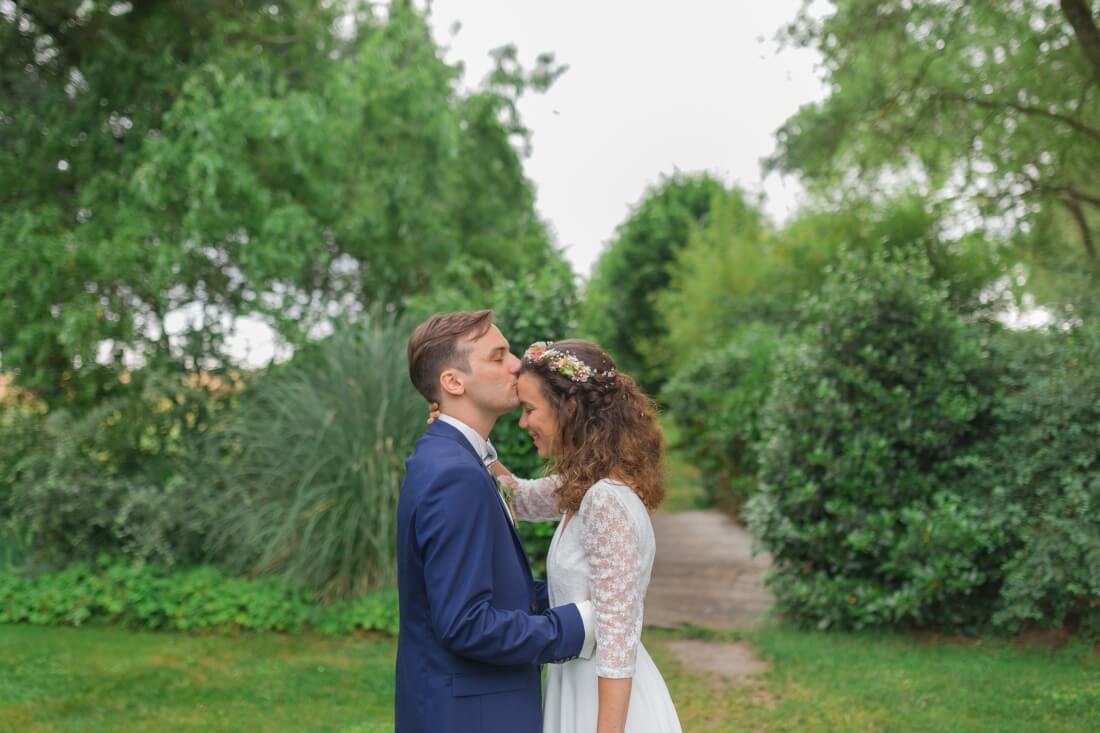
652, 89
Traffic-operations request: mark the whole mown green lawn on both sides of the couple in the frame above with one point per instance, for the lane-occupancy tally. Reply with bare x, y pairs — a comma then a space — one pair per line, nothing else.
98, 681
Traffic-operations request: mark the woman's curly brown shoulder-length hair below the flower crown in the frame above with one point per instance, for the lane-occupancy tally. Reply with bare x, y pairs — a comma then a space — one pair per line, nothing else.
608, 429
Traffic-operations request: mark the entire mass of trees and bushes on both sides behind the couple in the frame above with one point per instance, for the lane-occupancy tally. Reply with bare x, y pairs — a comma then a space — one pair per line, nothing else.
848, 377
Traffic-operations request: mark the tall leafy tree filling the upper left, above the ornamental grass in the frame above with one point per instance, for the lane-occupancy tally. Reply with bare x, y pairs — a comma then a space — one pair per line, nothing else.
200, 161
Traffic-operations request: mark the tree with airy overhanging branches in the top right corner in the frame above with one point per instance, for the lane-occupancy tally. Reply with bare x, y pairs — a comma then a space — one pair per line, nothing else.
988, 103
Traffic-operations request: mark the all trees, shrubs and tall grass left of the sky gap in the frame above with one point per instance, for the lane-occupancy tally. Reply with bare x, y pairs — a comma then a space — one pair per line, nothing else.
185, 166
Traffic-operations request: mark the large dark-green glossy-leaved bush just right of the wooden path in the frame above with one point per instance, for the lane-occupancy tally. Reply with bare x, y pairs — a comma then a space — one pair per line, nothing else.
871, 498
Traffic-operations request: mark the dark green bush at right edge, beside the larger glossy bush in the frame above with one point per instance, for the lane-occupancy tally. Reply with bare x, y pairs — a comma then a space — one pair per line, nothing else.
1050, 456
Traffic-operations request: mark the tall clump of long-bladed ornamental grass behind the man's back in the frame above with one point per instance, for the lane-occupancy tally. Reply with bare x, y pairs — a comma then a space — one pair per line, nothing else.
312, 465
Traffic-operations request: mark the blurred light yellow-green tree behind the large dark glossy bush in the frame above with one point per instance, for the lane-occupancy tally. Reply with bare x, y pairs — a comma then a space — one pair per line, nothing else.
738, 269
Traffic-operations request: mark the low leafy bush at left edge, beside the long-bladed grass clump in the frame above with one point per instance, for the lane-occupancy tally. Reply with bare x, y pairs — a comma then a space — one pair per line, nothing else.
118, 478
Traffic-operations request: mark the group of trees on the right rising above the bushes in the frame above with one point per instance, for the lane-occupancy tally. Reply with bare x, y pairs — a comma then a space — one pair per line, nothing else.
965, 128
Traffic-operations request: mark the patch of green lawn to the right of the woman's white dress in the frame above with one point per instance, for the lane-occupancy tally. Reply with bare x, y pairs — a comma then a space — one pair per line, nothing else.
885, 683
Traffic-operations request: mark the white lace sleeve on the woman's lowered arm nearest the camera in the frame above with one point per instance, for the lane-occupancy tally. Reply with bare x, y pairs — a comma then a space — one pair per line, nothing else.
611, 544
